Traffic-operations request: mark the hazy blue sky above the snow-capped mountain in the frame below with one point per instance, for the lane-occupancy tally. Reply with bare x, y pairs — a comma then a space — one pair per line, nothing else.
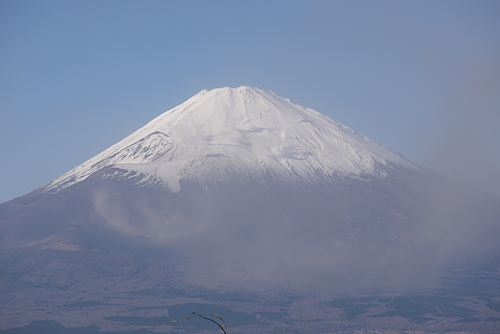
420, 77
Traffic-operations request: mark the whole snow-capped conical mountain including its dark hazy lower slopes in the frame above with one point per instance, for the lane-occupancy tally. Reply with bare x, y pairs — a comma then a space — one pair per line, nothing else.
243, 200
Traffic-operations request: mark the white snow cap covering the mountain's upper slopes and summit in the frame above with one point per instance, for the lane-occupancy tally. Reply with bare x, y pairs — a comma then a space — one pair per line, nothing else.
242, 132
